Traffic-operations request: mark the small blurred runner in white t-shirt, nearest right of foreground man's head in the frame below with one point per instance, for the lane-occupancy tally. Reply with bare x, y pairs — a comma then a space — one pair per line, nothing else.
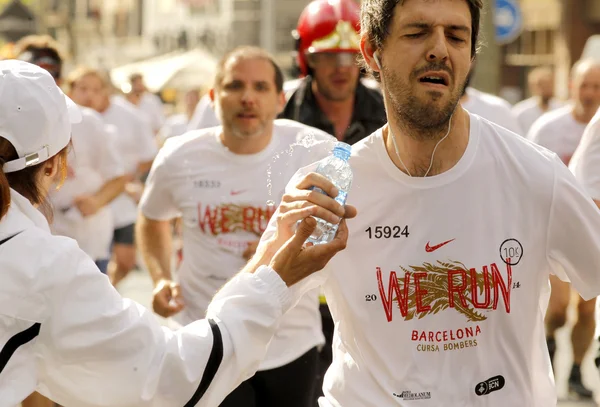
541, 85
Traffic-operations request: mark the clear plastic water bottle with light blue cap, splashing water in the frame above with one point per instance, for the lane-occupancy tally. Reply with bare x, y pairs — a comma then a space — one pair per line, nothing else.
337, 169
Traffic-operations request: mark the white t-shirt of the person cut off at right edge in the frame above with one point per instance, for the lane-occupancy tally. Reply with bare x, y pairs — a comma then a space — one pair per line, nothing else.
585, 163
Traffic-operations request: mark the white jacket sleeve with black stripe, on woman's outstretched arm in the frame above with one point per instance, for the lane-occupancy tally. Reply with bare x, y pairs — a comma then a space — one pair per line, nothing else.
98, 349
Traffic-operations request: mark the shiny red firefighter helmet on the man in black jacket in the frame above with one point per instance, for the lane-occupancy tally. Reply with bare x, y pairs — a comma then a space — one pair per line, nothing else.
327, 26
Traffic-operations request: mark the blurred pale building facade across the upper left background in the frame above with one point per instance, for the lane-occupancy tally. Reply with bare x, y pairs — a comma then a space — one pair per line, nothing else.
111, 33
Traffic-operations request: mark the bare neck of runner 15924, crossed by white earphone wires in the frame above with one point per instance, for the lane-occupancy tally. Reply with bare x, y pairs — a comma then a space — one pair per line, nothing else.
416, 152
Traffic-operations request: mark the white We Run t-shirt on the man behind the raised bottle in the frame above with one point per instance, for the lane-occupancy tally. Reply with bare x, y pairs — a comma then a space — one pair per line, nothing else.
222, 198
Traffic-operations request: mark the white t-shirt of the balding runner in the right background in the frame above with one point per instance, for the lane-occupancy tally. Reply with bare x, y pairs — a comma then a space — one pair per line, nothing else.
558, 131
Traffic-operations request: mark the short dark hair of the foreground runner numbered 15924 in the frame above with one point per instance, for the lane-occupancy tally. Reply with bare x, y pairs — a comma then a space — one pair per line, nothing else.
376, 18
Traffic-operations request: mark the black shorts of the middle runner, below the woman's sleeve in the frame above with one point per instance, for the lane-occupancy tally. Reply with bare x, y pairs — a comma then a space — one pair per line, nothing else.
292, 385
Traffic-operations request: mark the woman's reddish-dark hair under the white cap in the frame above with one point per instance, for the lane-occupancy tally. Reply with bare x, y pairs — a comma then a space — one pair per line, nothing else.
25, 180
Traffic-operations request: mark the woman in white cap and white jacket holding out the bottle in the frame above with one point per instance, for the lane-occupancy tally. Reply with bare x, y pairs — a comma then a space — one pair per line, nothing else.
64, 330
